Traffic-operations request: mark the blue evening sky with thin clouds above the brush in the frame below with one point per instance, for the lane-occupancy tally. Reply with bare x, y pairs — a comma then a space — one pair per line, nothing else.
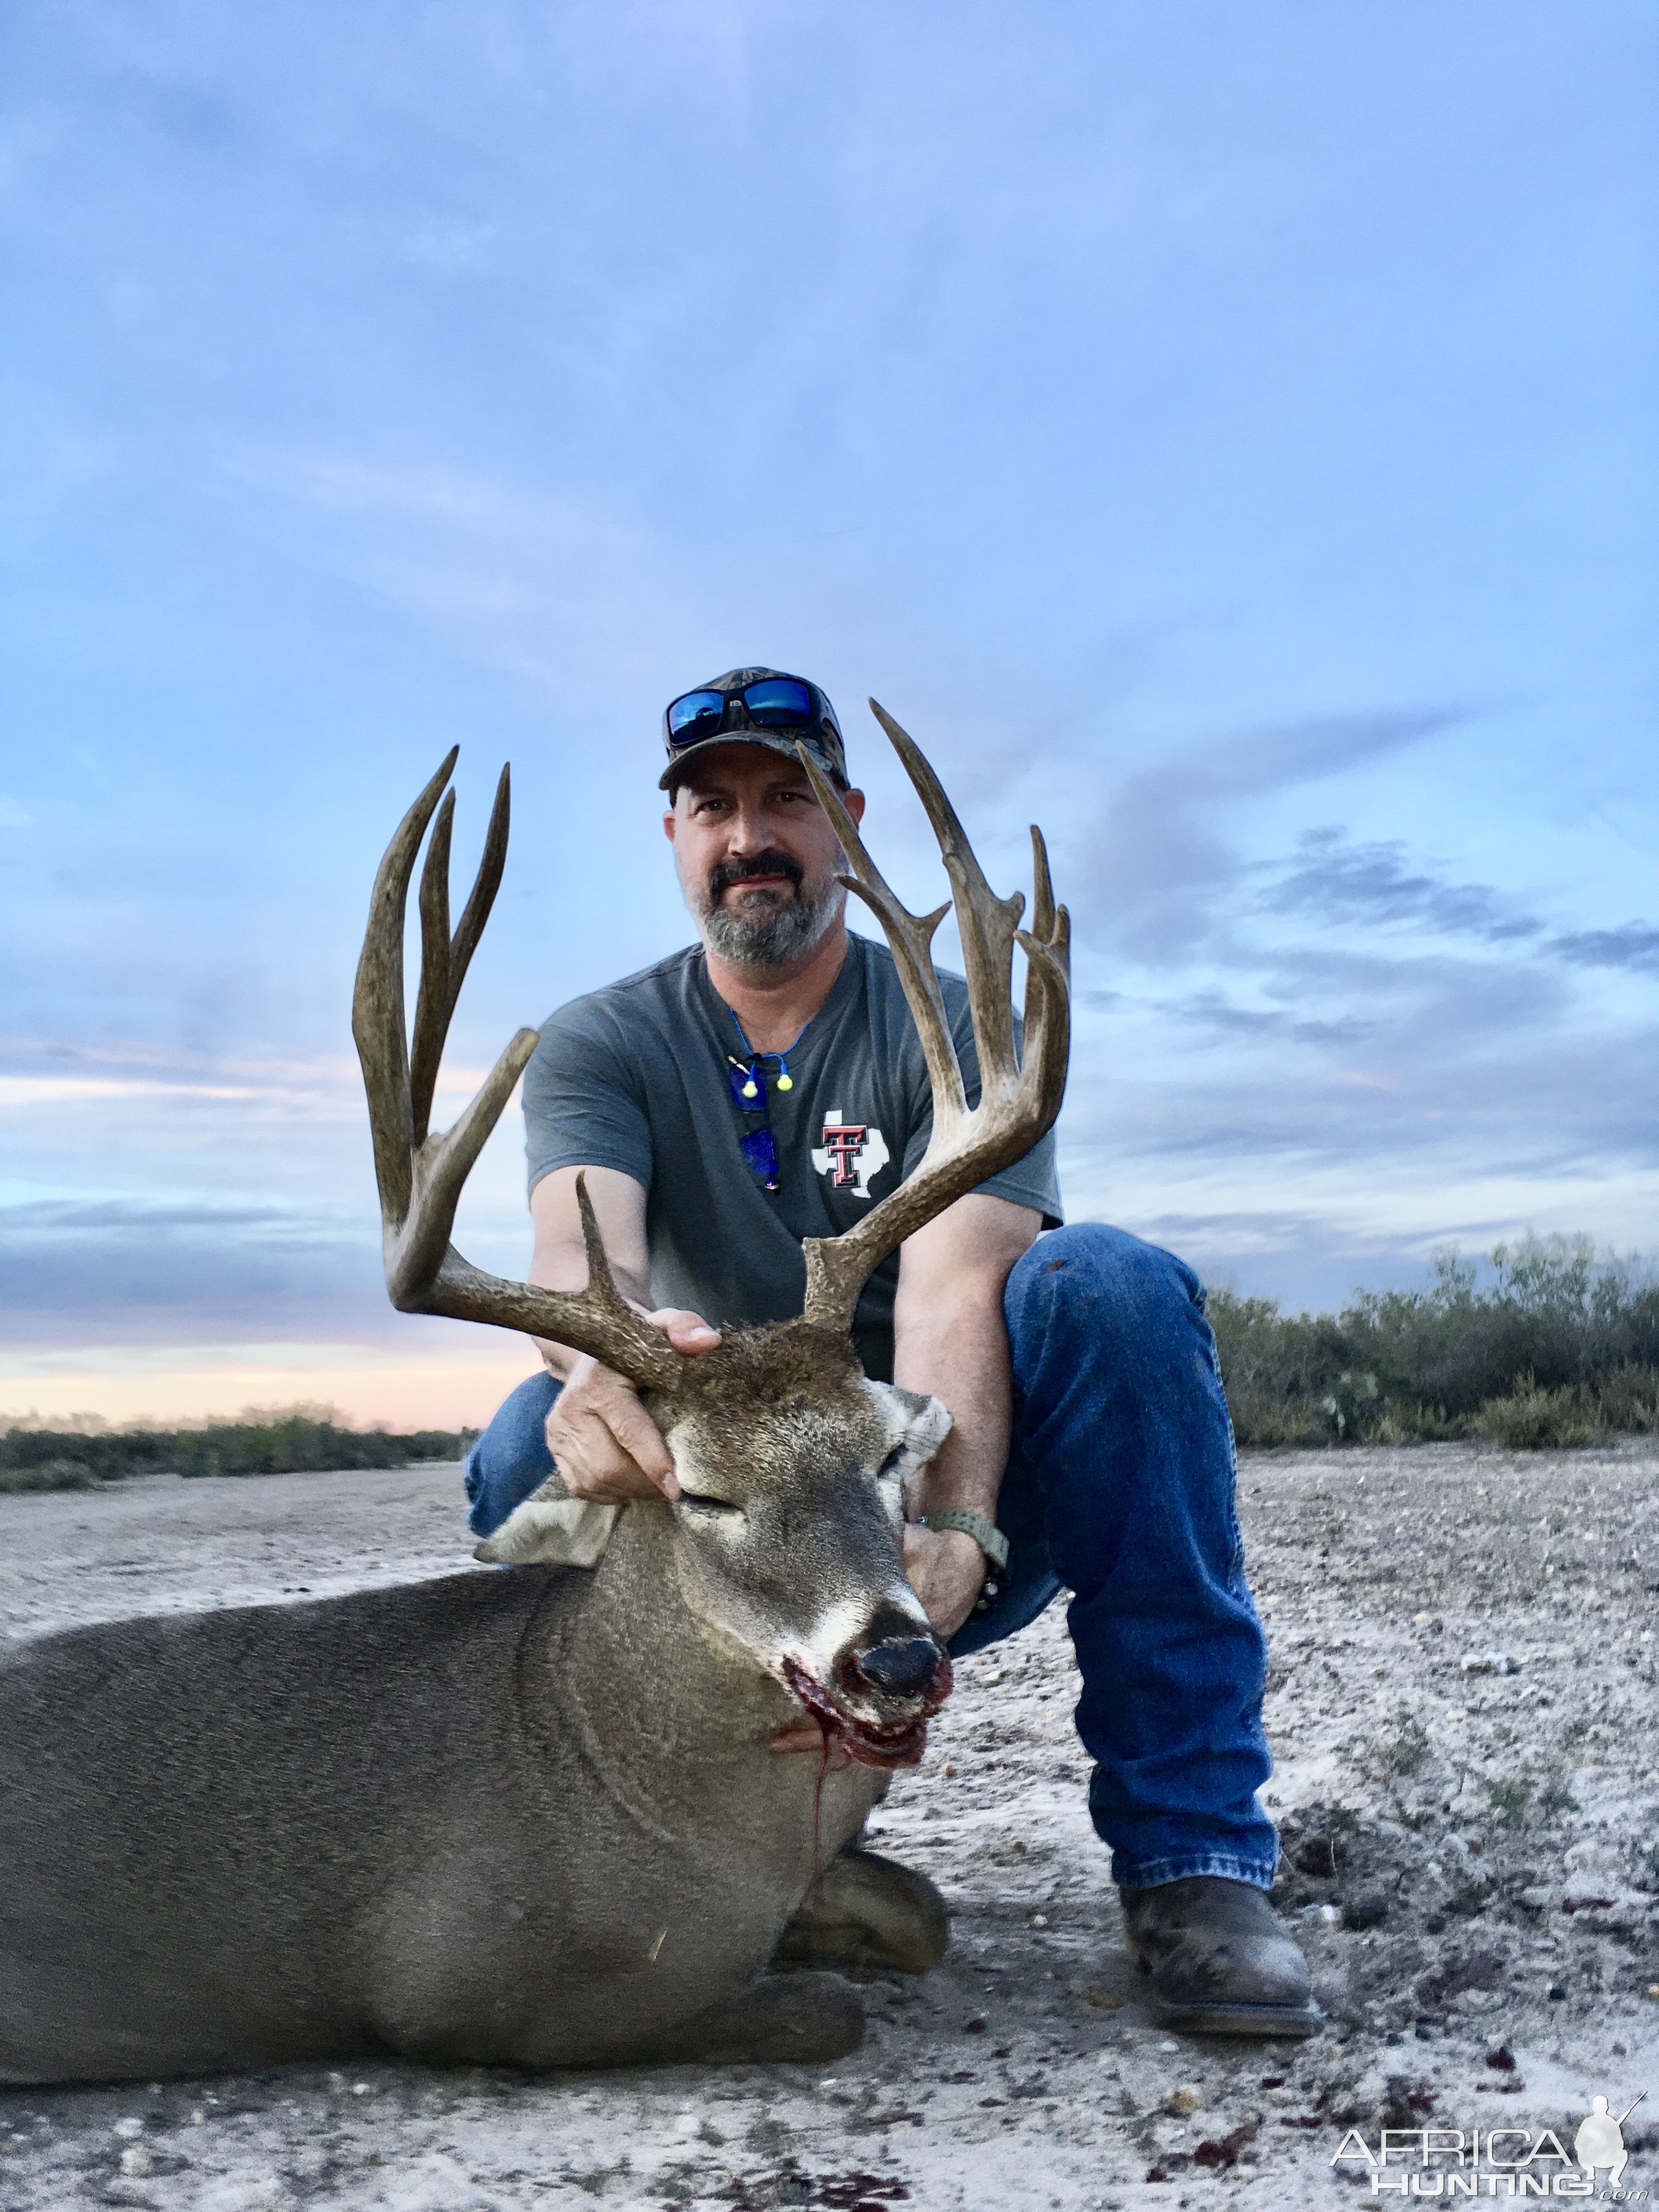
1220, 432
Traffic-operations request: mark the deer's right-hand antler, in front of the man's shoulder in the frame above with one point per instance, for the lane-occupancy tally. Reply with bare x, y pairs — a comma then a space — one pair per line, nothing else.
1019, 1092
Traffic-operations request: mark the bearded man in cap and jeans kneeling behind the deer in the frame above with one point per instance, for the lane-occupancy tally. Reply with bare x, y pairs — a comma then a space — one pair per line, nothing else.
766, 1085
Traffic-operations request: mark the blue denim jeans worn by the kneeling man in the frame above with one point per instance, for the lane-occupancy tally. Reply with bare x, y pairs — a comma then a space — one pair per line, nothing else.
1120, 1488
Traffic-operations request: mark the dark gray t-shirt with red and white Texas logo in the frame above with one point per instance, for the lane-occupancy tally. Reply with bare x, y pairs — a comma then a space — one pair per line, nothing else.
638, 1078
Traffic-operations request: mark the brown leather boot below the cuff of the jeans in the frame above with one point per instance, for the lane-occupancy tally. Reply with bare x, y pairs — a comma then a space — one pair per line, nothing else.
1213, 1957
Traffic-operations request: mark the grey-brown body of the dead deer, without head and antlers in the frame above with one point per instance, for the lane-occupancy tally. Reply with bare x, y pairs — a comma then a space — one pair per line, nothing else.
497, 1819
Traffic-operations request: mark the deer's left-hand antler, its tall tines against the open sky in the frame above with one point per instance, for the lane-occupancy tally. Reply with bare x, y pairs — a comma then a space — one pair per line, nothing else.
421, 1173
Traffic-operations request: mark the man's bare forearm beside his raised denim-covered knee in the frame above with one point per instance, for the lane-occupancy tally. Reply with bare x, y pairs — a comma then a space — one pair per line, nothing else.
961, 1355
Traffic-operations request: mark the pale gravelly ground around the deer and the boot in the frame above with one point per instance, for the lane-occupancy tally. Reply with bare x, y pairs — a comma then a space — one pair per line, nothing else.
1463, 1713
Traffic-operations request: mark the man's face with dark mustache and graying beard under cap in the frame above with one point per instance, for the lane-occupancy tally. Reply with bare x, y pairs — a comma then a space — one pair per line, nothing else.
758, 855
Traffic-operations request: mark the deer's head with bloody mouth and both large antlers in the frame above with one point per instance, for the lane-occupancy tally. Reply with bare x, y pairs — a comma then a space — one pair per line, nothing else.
786, 1538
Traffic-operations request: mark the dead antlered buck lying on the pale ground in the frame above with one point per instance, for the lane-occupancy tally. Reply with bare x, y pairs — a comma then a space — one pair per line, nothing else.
525, 1817
